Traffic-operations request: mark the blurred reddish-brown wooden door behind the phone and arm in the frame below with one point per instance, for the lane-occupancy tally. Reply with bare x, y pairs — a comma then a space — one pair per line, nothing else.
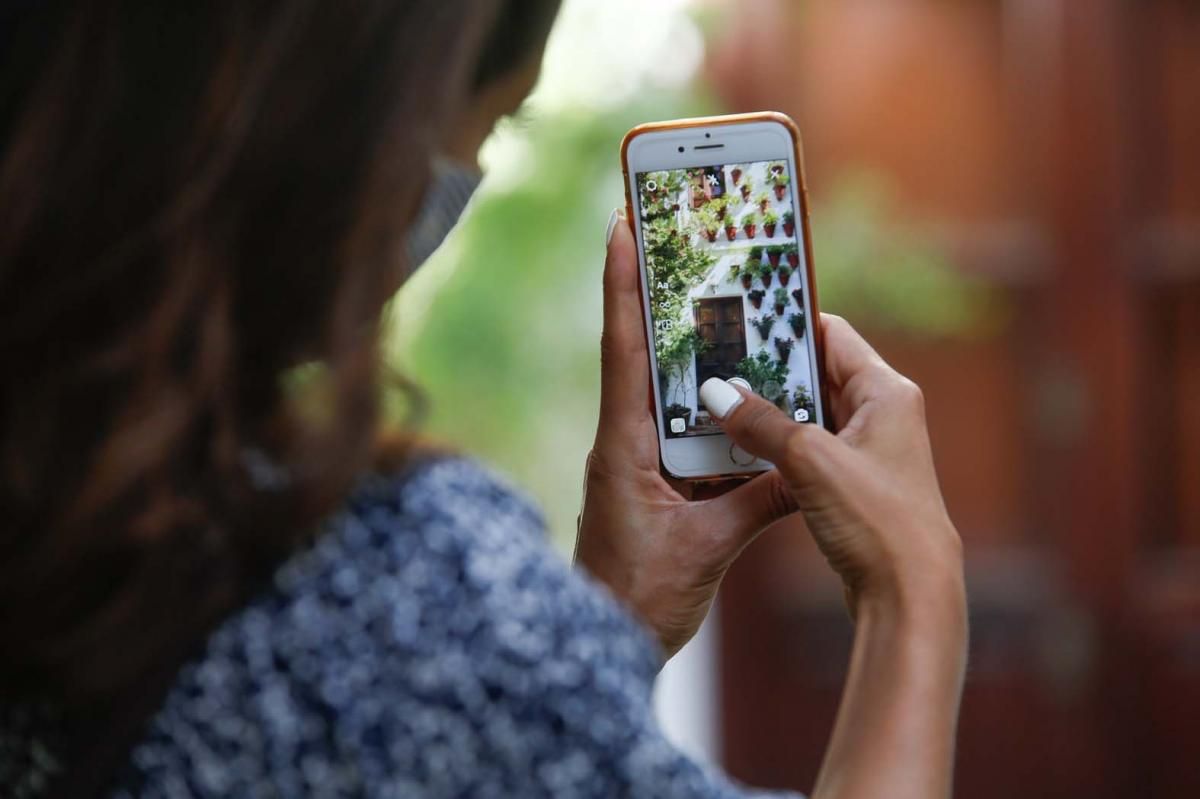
1055, 148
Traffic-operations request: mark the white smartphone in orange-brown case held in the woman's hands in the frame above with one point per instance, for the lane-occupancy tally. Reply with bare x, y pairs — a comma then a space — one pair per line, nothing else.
721, 213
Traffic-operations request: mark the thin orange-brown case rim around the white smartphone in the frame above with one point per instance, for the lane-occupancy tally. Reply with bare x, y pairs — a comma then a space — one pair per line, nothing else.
803, 195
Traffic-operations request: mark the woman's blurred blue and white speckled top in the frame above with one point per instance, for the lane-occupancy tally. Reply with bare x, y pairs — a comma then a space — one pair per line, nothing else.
430, 644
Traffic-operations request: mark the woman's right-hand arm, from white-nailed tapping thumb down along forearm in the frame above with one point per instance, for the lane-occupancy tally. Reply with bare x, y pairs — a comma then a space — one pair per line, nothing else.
871, 498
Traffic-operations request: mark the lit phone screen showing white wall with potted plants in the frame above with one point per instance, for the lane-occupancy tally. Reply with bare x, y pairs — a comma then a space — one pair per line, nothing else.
728, 283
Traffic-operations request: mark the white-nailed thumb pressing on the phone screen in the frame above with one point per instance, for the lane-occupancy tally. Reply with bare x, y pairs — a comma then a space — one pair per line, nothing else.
801, 453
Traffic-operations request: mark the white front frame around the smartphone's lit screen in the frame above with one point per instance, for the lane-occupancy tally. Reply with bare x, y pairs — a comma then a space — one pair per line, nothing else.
745, 139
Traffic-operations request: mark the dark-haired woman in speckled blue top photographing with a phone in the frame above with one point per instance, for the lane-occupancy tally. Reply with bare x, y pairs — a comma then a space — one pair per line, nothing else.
215, 581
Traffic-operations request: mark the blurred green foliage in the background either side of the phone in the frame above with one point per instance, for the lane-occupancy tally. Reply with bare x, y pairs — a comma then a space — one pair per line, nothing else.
502, 328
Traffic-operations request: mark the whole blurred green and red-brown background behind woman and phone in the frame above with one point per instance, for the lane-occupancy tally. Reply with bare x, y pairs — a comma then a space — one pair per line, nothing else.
1006, 201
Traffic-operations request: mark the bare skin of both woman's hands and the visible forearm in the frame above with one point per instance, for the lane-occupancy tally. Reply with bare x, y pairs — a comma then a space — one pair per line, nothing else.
869, 497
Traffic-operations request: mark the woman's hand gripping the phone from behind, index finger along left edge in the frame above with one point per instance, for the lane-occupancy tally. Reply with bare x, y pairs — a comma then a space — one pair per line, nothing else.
658, 546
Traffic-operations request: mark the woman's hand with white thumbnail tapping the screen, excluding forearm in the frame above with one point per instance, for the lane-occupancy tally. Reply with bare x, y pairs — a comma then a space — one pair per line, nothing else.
869, 495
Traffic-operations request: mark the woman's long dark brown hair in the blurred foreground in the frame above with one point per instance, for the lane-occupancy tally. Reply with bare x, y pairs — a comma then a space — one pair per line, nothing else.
195, 199
